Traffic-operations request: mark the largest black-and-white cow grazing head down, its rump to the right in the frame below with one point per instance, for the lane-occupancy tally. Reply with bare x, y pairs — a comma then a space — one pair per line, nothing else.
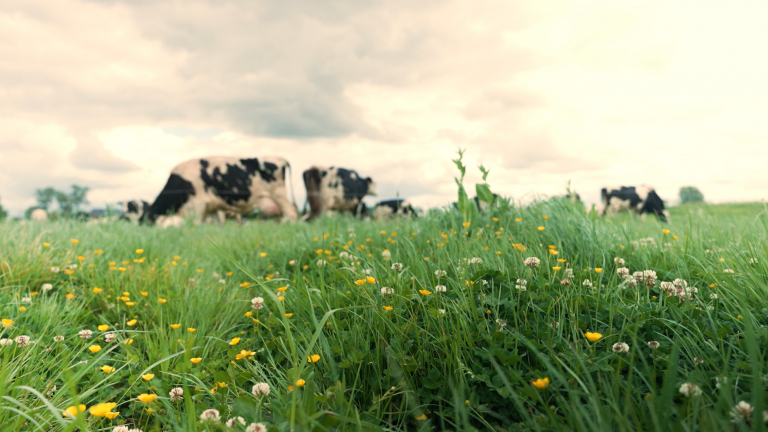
222, 185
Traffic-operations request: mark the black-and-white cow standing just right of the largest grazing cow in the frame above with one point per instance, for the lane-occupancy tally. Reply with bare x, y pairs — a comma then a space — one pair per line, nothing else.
336, 189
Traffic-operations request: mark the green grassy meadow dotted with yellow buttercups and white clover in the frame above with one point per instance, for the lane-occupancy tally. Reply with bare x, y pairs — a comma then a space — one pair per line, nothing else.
423, 324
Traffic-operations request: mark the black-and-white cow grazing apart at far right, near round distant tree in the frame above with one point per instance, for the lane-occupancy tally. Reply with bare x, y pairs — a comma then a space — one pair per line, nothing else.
639, 200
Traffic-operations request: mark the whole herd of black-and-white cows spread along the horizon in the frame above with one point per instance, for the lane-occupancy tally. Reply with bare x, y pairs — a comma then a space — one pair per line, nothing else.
225, 187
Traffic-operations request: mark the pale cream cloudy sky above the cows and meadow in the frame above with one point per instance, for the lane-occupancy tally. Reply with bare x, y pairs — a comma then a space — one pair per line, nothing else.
113, 94
